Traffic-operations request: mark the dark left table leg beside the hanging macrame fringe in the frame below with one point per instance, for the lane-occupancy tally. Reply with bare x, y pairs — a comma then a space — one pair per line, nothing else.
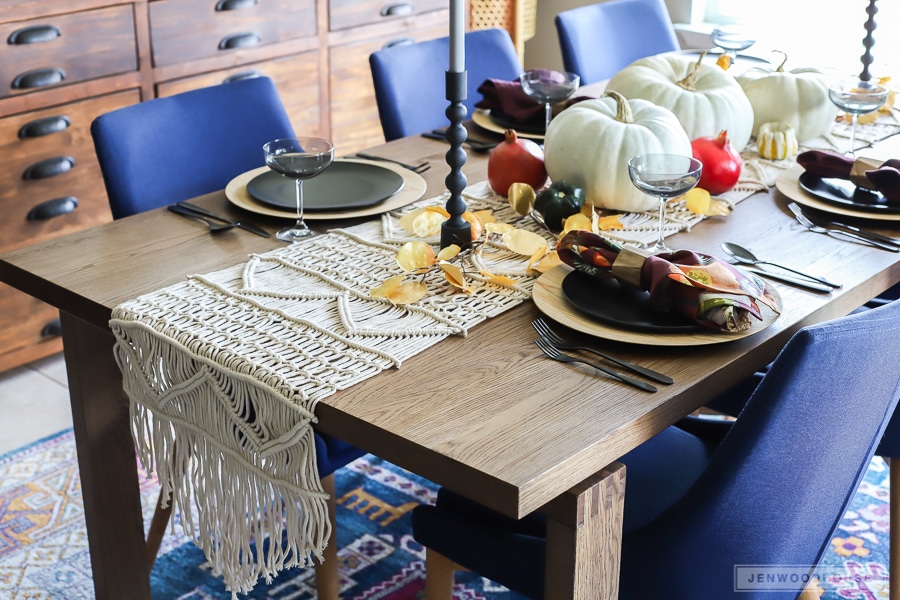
106, 462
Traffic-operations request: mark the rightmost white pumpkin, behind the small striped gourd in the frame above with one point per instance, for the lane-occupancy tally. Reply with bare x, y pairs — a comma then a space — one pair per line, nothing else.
798, 98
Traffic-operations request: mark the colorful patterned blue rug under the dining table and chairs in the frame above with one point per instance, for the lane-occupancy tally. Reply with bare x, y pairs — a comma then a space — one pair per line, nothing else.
44, 554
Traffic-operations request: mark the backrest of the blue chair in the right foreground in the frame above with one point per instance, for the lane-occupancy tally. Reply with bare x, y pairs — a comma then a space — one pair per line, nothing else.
779, 483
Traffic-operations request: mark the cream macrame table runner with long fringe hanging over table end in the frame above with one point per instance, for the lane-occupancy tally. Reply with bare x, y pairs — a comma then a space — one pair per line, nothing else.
231, 365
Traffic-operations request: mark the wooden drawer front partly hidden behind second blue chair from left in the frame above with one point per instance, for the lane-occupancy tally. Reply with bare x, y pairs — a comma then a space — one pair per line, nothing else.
354, 115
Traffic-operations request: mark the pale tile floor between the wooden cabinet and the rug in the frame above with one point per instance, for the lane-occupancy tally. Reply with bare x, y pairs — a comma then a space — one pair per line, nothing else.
34, 402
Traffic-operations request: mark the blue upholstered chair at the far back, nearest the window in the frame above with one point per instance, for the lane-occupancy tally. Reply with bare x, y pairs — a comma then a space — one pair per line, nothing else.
598, 40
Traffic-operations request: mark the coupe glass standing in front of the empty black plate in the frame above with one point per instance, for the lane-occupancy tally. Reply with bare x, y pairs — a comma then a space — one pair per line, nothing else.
298, 159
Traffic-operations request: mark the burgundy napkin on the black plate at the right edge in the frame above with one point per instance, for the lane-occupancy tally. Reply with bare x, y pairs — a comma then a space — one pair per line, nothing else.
884, 178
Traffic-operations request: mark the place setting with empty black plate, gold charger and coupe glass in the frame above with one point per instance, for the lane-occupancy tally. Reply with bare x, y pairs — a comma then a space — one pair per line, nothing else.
314, 185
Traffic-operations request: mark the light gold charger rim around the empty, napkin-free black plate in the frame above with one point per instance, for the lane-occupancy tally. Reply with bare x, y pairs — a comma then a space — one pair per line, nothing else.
414, 187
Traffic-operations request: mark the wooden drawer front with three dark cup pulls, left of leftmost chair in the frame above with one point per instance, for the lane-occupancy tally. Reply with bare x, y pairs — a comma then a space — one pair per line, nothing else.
50, 156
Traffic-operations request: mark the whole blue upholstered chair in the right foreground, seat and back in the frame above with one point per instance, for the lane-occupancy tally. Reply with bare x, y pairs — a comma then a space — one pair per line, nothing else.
771, 493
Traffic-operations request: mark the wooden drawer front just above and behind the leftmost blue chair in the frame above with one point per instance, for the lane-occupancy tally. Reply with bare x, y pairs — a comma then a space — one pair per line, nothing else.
297, 79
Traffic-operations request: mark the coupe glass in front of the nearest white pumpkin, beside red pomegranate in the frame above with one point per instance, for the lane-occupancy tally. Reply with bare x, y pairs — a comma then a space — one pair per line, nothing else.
665, 176
